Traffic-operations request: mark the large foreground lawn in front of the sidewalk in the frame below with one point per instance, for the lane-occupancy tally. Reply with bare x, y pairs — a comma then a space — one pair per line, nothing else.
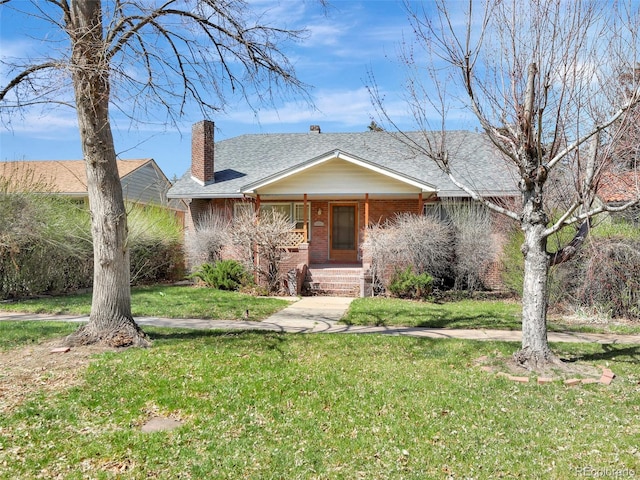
268, 405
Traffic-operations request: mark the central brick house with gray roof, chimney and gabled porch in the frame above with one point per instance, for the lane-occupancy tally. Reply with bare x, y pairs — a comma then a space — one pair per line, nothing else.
333, 184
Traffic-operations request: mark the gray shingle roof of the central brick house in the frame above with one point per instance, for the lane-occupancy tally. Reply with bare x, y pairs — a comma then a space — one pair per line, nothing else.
248, 159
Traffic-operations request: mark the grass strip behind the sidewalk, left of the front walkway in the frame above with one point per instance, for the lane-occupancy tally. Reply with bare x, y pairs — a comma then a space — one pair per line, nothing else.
163, 301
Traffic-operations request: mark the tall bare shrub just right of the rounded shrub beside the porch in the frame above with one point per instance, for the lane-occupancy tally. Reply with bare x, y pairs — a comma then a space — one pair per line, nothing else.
475, 243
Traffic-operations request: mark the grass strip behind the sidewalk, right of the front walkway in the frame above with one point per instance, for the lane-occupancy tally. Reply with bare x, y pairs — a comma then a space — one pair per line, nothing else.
473, 314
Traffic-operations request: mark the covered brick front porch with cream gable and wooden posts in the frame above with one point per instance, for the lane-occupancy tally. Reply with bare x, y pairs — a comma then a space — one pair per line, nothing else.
332, 199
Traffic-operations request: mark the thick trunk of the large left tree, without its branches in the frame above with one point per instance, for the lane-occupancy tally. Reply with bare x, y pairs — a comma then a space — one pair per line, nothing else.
110, 322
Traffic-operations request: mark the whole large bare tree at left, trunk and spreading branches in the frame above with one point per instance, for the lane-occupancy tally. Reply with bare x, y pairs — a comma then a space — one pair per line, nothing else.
134, 54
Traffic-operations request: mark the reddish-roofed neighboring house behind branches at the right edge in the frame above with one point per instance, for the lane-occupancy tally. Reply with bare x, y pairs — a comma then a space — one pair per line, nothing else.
619, 188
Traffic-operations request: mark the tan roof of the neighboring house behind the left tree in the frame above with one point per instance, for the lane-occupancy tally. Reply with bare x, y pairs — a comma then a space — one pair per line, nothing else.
60, 176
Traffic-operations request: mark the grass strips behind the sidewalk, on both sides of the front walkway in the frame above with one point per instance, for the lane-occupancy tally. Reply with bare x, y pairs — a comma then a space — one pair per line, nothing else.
196, 302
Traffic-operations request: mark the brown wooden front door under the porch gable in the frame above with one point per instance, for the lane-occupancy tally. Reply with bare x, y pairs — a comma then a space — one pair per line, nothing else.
343, 241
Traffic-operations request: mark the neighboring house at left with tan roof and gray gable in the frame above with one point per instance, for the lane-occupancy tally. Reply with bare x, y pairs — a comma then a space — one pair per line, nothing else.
142, 180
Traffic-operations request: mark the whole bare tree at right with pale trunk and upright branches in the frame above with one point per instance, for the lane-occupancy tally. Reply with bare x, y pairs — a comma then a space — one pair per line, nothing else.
544, 87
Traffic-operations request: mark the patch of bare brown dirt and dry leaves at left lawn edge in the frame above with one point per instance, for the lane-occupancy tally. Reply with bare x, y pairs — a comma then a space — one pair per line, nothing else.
35, 368
